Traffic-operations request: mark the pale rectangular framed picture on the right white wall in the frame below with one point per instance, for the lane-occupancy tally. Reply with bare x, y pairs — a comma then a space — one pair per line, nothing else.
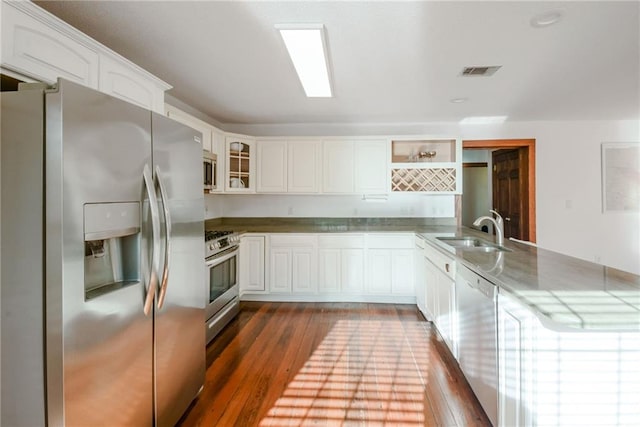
621, 177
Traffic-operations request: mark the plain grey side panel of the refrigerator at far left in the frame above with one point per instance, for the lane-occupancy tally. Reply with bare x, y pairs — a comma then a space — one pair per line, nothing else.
22, 299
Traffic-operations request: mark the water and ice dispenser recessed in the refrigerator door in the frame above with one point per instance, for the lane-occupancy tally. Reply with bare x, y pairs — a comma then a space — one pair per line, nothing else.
111, 247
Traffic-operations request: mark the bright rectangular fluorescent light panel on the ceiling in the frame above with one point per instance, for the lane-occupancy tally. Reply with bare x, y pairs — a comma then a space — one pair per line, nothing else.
307, 49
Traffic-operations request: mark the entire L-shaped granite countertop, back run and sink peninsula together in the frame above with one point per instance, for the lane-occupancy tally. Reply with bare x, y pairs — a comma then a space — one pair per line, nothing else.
563, 291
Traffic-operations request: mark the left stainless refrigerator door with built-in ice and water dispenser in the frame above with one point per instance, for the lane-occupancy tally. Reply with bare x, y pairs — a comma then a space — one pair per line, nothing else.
99, 341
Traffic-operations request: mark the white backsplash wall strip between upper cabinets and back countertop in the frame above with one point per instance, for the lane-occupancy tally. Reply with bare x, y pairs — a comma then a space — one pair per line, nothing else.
265, 205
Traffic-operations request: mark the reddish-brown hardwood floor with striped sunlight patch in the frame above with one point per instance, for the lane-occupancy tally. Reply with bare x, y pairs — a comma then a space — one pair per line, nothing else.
292, 364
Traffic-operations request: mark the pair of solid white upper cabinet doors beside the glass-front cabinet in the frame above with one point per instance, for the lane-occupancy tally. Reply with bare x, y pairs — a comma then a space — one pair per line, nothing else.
288, 166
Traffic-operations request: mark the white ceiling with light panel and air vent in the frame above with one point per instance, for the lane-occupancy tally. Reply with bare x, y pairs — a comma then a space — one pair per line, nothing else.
391, 62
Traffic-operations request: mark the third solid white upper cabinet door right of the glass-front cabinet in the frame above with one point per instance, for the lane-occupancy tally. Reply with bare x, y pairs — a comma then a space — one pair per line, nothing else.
338, 172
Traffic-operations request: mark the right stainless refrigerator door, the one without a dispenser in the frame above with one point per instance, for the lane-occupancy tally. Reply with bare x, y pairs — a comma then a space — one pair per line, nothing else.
179, 315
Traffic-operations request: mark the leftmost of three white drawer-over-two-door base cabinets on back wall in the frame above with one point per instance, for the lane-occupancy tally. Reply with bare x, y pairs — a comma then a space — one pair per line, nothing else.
293, 263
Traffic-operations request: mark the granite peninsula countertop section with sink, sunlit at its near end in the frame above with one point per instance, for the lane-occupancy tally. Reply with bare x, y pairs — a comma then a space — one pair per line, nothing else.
565, 293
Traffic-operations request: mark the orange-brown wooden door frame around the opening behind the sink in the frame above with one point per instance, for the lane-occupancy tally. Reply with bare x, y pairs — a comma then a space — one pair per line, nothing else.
531, 168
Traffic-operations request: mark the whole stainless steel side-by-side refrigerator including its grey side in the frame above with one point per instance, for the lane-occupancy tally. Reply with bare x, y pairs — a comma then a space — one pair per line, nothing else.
102, 271
